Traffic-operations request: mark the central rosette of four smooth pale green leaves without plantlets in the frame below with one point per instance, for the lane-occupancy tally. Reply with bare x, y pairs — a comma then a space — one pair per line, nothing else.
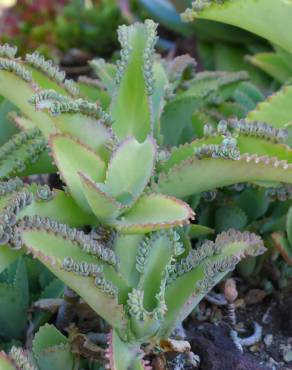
113, 190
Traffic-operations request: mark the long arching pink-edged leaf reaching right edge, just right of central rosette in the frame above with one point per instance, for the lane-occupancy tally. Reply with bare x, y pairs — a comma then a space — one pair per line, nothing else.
195, 176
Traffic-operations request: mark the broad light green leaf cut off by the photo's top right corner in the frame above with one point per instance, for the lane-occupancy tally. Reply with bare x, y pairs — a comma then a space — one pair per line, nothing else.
267, 18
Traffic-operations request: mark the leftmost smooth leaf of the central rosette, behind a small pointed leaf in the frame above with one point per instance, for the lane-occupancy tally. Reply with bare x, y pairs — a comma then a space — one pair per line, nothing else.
73, 157
